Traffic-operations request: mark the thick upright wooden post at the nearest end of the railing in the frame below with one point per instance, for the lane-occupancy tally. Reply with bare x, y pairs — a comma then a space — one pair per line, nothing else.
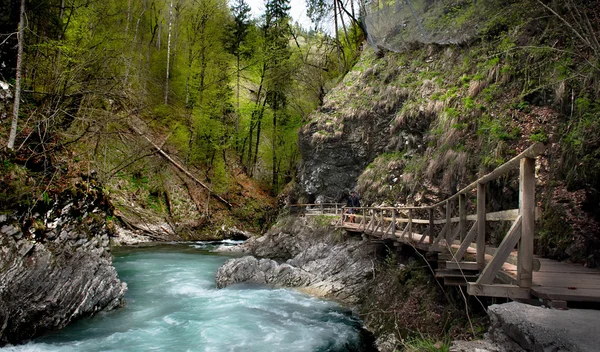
527, 210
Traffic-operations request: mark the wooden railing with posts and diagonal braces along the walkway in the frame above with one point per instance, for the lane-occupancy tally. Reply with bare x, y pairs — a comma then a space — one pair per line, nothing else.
420, 226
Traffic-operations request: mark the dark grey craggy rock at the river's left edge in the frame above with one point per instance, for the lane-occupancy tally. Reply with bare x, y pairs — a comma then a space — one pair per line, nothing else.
56, 267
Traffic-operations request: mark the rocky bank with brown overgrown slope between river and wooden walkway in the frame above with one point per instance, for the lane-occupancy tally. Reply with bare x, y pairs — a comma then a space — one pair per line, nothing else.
390, 287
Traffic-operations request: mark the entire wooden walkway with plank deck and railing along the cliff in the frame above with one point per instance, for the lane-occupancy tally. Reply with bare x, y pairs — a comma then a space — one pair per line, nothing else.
457, 239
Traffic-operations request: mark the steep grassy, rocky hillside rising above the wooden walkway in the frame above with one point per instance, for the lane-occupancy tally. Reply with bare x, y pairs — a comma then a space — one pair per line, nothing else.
414, 126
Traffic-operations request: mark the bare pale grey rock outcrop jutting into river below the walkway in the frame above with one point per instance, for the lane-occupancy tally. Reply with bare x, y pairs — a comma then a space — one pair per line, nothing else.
318, 263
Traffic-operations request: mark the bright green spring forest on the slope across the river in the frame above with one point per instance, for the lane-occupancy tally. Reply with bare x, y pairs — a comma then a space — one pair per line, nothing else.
216, 88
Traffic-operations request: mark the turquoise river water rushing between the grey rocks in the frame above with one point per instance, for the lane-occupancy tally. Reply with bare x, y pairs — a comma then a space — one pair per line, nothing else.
173, 305
